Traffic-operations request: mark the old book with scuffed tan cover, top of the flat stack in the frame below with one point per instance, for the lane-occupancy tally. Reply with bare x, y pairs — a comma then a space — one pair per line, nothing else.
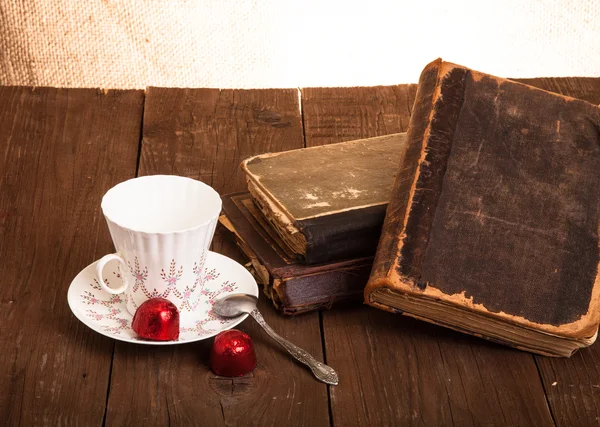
327, 203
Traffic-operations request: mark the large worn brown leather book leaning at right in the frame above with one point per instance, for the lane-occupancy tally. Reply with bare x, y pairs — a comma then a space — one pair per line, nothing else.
496, 234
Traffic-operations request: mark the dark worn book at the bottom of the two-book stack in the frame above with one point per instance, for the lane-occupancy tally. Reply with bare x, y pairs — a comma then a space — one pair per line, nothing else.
292, 286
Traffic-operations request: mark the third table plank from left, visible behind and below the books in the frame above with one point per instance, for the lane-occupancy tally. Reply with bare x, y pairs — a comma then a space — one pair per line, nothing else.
396, 371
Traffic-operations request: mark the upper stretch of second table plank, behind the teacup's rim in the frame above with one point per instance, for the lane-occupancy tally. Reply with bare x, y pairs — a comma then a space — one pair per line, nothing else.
206, 133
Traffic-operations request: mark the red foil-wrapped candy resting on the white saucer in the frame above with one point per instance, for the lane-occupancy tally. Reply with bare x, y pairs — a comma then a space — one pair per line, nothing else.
157, 319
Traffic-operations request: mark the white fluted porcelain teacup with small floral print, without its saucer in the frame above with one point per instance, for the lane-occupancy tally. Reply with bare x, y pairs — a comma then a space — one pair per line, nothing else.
162, 227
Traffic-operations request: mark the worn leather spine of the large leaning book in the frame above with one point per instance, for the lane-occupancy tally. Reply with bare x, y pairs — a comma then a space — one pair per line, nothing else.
419, 181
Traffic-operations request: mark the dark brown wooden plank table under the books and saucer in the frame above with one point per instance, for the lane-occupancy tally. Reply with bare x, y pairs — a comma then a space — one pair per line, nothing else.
61, 149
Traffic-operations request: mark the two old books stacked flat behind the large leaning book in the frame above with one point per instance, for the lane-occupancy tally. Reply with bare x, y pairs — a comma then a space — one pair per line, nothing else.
310, 229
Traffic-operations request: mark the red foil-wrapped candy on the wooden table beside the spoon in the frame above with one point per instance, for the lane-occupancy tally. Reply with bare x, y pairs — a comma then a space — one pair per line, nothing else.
232, 354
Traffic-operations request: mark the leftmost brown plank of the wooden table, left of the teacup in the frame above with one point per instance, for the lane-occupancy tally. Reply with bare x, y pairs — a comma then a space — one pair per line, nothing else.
60, 150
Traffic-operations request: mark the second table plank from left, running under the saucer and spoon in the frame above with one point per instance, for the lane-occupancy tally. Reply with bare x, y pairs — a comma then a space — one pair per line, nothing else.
205, 134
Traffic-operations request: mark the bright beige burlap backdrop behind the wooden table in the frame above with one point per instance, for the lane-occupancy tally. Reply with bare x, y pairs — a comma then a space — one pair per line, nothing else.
270, 43
